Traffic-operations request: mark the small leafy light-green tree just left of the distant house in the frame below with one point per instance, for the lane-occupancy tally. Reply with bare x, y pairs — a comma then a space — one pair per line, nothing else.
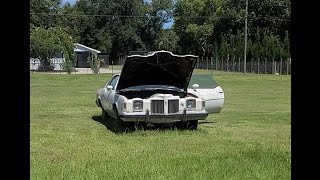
46, 43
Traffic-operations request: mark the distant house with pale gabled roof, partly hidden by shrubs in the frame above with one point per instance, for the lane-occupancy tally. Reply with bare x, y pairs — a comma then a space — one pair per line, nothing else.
82, 53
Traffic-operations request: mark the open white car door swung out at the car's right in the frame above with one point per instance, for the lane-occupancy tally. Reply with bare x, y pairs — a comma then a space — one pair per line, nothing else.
209, 91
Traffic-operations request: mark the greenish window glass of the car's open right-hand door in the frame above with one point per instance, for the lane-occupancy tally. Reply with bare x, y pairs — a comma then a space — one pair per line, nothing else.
204, 81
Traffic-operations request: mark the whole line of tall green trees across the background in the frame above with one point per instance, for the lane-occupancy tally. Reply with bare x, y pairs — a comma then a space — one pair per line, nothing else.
201, 27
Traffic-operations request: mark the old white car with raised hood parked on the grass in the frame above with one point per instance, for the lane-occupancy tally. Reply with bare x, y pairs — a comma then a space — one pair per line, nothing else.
153, 89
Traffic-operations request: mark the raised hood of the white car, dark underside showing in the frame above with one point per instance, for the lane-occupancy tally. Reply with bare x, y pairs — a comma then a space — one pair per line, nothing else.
158, 68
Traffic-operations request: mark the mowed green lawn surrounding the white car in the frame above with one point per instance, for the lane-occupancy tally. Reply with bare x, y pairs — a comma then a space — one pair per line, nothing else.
249, 139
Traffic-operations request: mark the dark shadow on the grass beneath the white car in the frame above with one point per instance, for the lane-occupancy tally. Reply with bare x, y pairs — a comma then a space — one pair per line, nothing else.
112, 125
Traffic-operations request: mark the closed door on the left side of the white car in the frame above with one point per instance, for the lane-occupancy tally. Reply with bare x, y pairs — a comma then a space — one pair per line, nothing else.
107, 97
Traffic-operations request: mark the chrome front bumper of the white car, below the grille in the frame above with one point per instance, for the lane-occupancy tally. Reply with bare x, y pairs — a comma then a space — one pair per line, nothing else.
163, 118
